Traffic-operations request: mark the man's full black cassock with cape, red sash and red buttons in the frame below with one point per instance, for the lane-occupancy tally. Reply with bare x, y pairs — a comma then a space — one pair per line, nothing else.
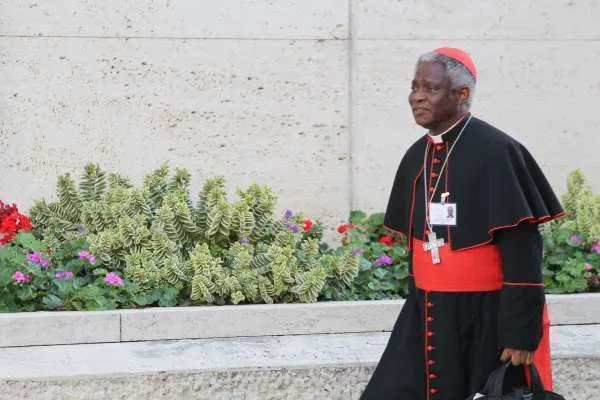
448, 339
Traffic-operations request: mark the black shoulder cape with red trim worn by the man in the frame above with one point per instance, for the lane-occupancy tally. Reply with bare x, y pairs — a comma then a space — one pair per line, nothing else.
492, 178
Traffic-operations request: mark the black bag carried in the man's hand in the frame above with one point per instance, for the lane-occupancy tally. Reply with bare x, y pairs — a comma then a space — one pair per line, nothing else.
494, 388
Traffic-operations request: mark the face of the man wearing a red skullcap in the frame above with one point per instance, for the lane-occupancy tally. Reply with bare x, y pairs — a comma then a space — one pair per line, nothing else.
431, 99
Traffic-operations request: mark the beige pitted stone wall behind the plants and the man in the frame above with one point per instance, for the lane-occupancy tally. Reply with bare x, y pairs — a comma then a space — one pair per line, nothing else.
307, 96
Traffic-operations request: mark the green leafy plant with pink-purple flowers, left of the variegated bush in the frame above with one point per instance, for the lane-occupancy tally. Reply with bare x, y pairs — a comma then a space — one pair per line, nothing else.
35, 277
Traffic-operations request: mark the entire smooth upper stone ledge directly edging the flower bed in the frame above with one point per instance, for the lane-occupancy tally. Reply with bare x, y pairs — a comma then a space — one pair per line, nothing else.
27, 329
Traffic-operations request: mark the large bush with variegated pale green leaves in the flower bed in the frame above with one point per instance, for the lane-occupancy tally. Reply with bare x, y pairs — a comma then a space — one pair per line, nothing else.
214, 252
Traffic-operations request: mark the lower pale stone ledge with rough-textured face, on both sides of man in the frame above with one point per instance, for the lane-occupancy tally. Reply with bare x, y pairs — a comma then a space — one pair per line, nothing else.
334, 366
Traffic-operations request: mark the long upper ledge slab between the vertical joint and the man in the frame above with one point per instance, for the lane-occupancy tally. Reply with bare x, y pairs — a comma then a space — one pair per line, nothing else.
258, 320
